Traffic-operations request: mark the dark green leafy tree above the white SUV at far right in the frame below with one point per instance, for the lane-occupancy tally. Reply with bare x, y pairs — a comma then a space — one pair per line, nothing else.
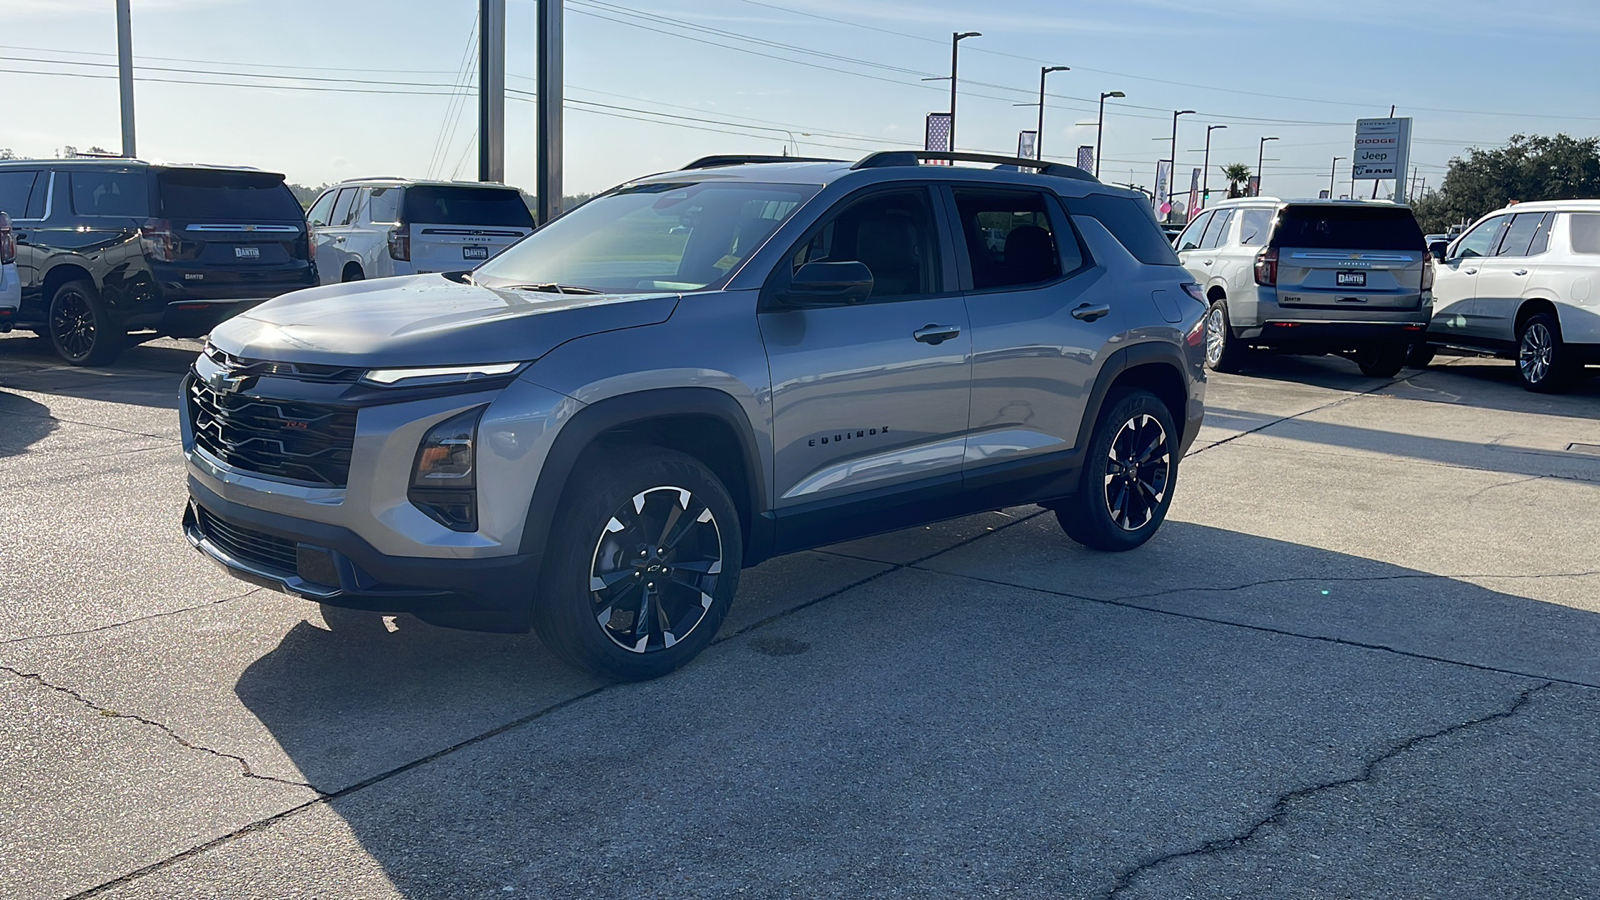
1529, 167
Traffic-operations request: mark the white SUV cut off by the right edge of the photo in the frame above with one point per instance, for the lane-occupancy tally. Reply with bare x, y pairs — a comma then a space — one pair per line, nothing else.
1524, 284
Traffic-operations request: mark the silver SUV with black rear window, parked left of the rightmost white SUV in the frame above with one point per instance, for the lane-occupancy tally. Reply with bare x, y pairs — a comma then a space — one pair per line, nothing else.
1311, 276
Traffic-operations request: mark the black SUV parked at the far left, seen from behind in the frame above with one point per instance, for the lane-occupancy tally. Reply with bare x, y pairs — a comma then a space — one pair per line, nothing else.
110, 247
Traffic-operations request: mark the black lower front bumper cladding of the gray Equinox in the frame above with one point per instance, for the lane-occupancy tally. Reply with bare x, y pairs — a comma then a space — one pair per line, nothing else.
298, 556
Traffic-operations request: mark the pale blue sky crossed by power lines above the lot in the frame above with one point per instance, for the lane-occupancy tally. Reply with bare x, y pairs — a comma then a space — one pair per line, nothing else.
326, 90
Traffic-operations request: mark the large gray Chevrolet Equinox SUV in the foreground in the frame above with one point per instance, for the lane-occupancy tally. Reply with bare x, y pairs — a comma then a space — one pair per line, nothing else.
593, 433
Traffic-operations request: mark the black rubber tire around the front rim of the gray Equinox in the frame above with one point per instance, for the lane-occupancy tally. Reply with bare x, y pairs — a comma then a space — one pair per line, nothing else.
562, 613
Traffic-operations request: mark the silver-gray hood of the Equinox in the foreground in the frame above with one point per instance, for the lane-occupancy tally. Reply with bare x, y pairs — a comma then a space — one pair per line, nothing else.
426, 321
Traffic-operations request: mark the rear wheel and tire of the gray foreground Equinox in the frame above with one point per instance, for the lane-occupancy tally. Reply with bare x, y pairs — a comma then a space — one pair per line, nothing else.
1119, 508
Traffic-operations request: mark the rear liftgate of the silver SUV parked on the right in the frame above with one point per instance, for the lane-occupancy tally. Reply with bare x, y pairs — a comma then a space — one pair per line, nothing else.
1350, 257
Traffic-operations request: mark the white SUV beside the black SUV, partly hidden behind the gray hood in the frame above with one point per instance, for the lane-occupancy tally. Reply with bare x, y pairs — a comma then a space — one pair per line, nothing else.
374, 228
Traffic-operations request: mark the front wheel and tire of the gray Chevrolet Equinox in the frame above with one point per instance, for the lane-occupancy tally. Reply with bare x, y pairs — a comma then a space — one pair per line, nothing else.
599, 606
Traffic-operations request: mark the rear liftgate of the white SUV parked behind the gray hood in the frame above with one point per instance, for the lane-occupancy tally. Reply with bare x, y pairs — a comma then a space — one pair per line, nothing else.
455, 228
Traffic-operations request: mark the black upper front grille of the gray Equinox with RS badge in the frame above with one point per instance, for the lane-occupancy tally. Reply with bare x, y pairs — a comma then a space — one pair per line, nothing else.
306, 443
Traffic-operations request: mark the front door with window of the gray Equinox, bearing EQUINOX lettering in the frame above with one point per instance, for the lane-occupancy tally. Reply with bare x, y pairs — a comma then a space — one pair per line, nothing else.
870, 400
